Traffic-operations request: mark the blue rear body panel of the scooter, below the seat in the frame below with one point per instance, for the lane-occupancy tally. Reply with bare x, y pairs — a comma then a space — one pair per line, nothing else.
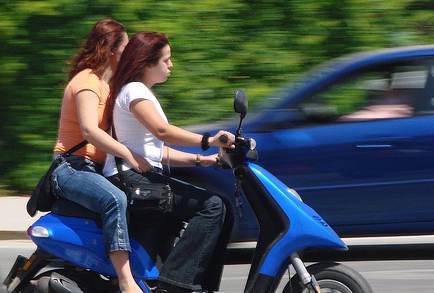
79, 241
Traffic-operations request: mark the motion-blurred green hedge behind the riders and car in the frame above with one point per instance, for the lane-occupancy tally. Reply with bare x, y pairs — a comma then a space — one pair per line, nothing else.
217, 47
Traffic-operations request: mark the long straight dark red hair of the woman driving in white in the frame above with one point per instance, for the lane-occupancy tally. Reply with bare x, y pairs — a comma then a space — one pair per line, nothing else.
144, 49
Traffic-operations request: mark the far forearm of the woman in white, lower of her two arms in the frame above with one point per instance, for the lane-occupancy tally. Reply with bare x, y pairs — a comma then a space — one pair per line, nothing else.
184, 159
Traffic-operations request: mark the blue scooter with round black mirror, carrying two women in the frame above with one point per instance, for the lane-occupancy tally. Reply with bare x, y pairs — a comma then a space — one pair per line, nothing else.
70, 257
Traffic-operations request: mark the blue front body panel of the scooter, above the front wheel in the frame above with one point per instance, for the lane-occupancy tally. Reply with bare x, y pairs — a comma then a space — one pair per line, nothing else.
307, 229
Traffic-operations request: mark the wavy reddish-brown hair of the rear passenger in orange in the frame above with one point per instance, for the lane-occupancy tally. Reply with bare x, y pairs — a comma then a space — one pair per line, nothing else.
105, 36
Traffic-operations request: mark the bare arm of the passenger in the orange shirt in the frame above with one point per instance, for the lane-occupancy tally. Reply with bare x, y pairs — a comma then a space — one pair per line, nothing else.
87, 110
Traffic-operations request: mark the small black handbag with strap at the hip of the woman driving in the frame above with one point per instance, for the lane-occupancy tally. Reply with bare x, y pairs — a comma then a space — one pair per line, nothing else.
145, 198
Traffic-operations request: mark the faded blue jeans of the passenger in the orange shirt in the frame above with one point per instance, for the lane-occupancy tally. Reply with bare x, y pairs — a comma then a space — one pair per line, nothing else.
79, 180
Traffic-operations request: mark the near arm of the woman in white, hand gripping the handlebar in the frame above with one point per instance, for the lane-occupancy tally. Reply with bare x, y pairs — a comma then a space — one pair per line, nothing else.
147, 114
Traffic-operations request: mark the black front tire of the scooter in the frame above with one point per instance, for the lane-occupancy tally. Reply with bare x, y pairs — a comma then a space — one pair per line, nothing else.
332, 277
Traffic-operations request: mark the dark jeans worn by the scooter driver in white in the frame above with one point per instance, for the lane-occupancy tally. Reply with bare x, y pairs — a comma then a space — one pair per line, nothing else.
196, 261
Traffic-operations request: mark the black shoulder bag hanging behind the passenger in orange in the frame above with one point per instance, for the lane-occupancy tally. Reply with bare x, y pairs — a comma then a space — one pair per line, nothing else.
43, 196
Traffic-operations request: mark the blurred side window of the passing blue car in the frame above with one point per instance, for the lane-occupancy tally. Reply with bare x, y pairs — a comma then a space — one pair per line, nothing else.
390, 91
